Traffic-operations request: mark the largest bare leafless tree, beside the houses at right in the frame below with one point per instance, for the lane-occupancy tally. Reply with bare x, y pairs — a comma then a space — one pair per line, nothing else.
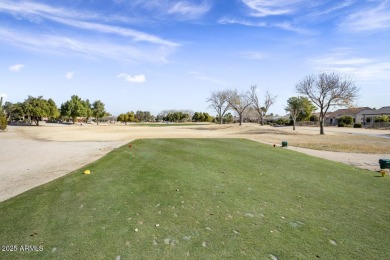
328, 90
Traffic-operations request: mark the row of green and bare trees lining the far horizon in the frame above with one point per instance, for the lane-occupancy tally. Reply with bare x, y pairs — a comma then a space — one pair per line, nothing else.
320, 91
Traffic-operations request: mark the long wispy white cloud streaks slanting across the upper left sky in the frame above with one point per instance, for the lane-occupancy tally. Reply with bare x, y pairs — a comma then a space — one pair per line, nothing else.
129, 44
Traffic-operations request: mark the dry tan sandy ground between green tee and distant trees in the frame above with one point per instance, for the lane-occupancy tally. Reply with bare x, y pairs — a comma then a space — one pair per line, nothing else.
31, 156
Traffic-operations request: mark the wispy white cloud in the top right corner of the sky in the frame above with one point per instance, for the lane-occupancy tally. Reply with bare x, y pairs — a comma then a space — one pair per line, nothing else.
369, 19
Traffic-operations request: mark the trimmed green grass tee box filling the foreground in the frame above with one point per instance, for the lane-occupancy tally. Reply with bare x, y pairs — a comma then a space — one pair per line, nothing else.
212, 199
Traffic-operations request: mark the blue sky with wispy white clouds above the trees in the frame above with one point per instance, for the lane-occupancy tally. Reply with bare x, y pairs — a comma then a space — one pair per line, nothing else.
163, 54
